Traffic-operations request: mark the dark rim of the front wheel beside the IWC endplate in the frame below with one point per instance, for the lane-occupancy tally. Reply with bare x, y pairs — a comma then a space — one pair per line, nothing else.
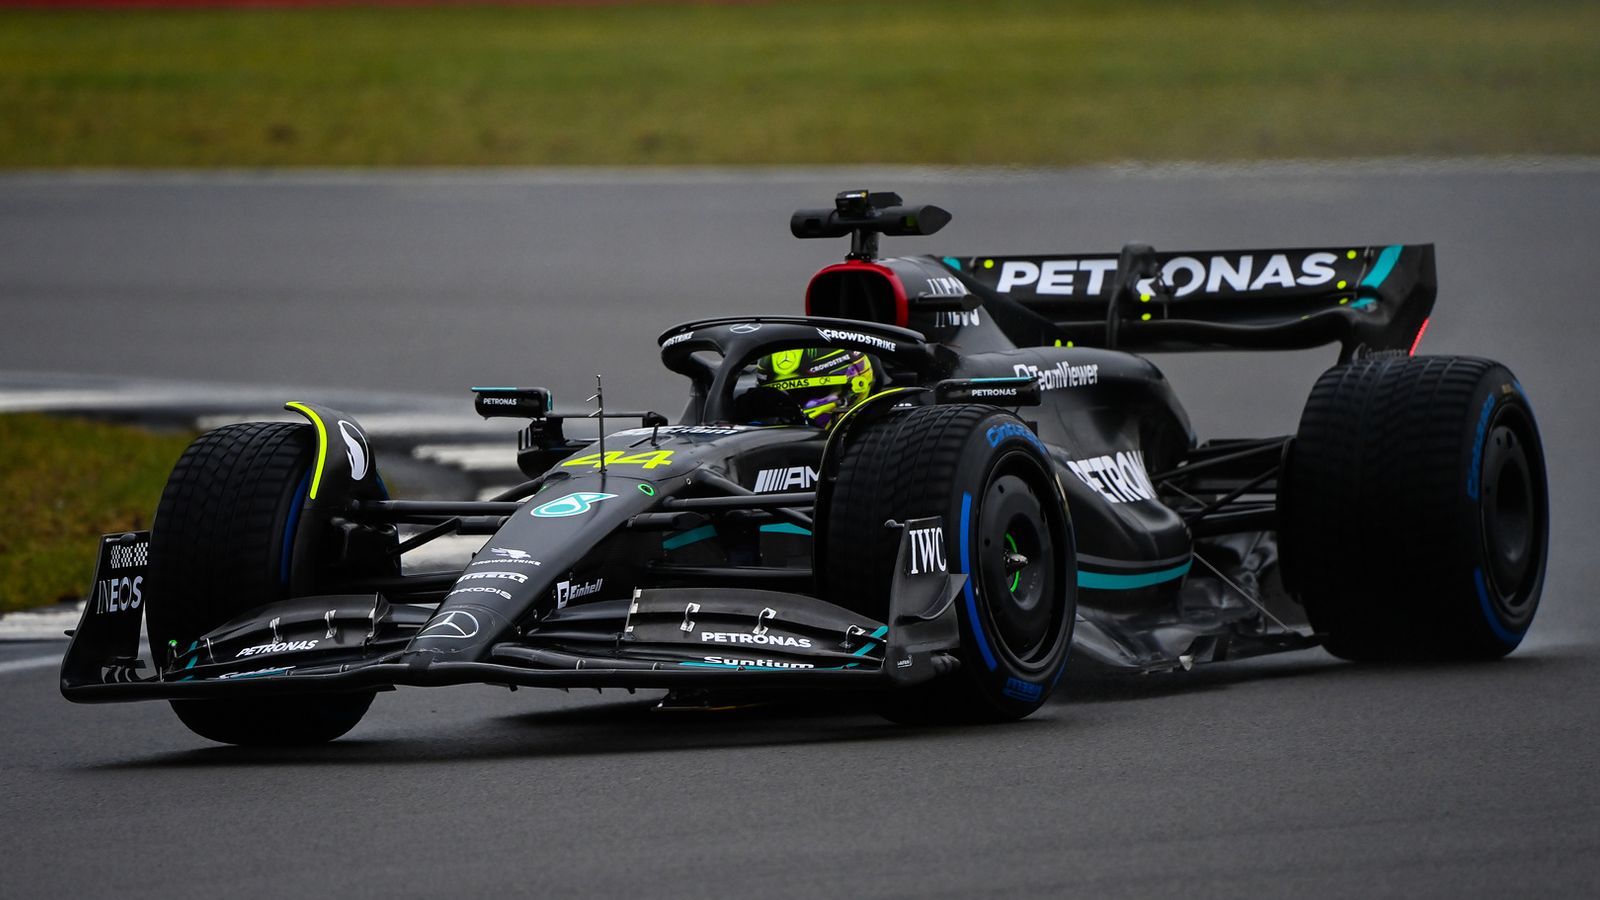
1015, 569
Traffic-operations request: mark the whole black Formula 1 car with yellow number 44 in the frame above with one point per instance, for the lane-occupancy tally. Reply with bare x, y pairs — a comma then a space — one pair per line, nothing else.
1001, 480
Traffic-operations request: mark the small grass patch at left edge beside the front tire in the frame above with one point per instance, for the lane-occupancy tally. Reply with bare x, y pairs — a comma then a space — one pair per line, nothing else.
65, 483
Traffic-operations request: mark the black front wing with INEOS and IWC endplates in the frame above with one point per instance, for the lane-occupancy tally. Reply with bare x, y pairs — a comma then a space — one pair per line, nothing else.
679, 638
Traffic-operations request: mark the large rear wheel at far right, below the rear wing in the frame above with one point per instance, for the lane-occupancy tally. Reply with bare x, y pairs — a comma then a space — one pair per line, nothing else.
1415, 515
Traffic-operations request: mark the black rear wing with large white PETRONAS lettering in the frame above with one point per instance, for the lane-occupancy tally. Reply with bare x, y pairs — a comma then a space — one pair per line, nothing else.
1369, 299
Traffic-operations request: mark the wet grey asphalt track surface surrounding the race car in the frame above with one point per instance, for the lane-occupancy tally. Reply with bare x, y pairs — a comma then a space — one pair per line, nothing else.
1290, 776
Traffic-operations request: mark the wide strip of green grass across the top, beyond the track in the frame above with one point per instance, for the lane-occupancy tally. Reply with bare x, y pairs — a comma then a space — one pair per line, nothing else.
946, 82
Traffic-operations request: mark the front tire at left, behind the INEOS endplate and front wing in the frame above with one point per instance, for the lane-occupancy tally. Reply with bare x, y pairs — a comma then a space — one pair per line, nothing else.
223, 544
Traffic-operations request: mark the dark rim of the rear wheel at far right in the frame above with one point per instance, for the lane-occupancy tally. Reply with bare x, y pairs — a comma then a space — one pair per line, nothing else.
1511, 510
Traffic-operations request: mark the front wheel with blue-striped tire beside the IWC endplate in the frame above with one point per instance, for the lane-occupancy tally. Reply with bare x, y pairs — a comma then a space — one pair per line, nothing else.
1006, 526
